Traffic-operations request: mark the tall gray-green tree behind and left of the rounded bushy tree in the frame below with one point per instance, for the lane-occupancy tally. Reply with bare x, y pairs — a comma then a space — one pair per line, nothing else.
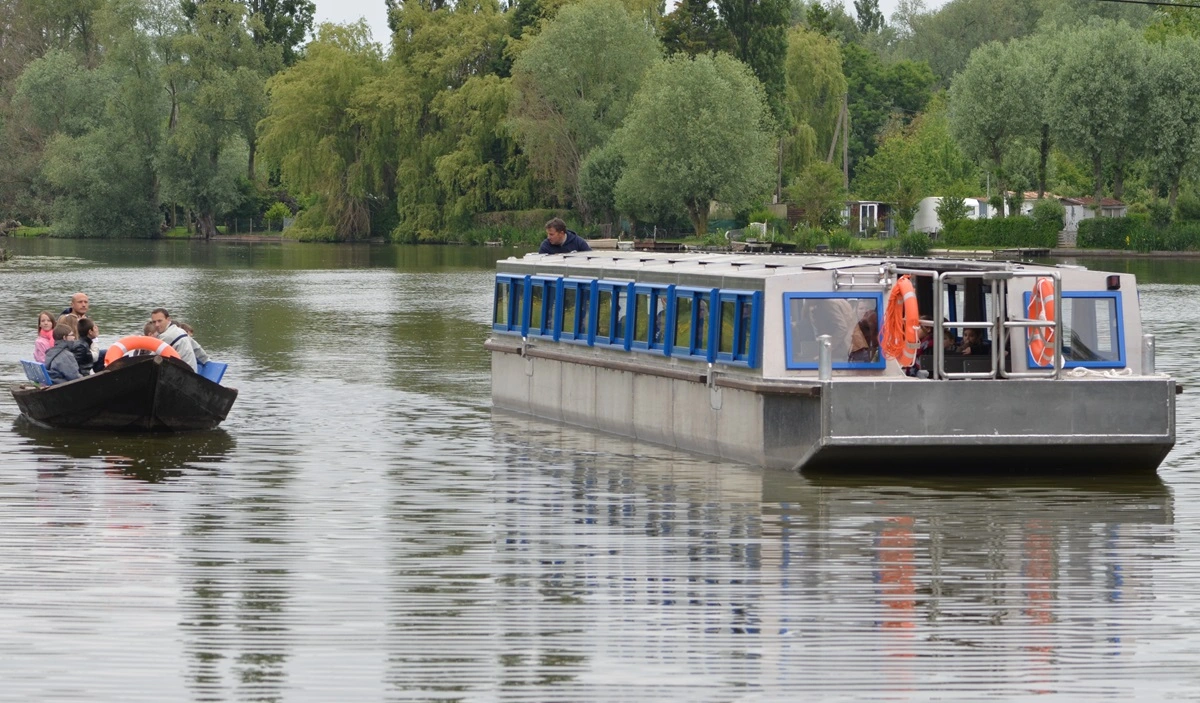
572, 87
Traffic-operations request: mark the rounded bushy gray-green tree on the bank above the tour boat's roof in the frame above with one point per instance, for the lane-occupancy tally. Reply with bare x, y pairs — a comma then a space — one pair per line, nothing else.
698, 131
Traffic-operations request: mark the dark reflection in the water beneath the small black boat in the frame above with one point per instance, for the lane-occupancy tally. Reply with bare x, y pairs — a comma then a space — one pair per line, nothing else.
149, 458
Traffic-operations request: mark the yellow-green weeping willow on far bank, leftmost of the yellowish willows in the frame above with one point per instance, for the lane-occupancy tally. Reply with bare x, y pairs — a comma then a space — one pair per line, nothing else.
317, 124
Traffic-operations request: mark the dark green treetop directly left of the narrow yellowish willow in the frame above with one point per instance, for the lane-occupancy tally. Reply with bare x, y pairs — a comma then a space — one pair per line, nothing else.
760, 31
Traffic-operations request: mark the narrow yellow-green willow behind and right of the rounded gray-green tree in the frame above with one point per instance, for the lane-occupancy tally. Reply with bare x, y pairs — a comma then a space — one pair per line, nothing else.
814, 98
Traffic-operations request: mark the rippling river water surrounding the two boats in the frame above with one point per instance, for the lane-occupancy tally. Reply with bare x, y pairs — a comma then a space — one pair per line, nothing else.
365, 528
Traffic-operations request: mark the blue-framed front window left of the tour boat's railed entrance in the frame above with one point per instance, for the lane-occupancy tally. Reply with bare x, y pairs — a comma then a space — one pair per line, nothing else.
851, 320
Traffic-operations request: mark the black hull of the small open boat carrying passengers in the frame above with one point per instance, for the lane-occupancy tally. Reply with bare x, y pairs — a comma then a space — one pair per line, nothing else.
139, 394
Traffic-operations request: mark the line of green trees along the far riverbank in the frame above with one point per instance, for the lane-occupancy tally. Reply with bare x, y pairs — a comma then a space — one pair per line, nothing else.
122, 118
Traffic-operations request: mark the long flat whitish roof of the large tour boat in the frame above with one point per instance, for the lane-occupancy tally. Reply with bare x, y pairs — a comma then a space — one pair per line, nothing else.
625, 265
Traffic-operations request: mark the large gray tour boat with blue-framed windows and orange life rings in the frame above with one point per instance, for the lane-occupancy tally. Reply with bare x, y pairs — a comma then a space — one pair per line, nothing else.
832, 363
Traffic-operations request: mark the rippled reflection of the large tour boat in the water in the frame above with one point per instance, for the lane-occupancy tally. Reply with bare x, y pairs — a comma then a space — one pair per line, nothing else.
1028, 584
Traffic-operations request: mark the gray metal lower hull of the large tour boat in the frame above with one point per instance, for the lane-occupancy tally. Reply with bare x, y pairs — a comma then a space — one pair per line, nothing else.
1091, 424
